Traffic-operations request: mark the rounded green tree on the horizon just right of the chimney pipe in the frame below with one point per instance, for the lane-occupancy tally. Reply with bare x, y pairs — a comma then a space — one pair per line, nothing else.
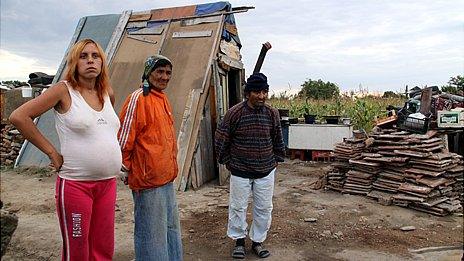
319, 90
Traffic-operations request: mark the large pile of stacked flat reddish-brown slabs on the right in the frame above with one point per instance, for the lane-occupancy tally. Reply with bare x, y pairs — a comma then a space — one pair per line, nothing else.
400, 168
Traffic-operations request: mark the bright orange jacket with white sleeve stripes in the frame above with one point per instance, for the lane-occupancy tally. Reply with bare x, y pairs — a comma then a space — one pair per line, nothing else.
147, 141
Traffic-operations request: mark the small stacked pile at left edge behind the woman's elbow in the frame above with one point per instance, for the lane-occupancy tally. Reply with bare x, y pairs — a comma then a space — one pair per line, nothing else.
11, 144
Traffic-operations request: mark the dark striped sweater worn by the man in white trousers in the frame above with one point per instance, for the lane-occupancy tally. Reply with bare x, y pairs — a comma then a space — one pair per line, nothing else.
249, 140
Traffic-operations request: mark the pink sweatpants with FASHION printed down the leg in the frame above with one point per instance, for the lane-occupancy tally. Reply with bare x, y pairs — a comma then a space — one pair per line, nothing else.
86, 216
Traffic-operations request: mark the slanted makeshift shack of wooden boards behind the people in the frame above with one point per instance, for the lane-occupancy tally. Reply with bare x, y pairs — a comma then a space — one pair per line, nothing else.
202, 42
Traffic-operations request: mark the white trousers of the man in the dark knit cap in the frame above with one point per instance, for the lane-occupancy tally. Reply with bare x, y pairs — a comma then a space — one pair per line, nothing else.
262, 191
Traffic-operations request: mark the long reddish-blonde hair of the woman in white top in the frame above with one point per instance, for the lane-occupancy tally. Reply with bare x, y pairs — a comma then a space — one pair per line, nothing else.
71, 73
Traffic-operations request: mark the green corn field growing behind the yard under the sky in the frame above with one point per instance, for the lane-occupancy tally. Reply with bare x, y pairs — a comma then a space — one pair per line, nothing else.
362, 111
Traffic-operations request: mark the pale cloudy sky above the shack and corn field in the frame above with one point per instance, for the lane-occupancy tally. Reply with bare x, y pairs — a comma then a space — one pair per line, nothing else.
373, 44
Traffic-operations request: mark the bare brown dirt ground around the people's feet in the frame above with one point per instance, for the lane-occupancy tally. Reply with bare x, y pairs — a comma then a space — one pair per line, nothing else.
347, 227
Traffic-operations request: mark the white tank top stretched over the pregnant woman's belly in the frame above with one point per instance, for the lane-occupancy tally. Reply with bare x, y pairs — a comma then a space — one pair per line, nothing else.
88, 139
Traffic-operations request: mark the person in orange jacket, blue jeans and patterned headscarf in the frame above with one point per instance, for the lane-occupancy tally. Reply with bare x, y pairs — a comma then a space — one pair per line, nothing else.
149, 151
